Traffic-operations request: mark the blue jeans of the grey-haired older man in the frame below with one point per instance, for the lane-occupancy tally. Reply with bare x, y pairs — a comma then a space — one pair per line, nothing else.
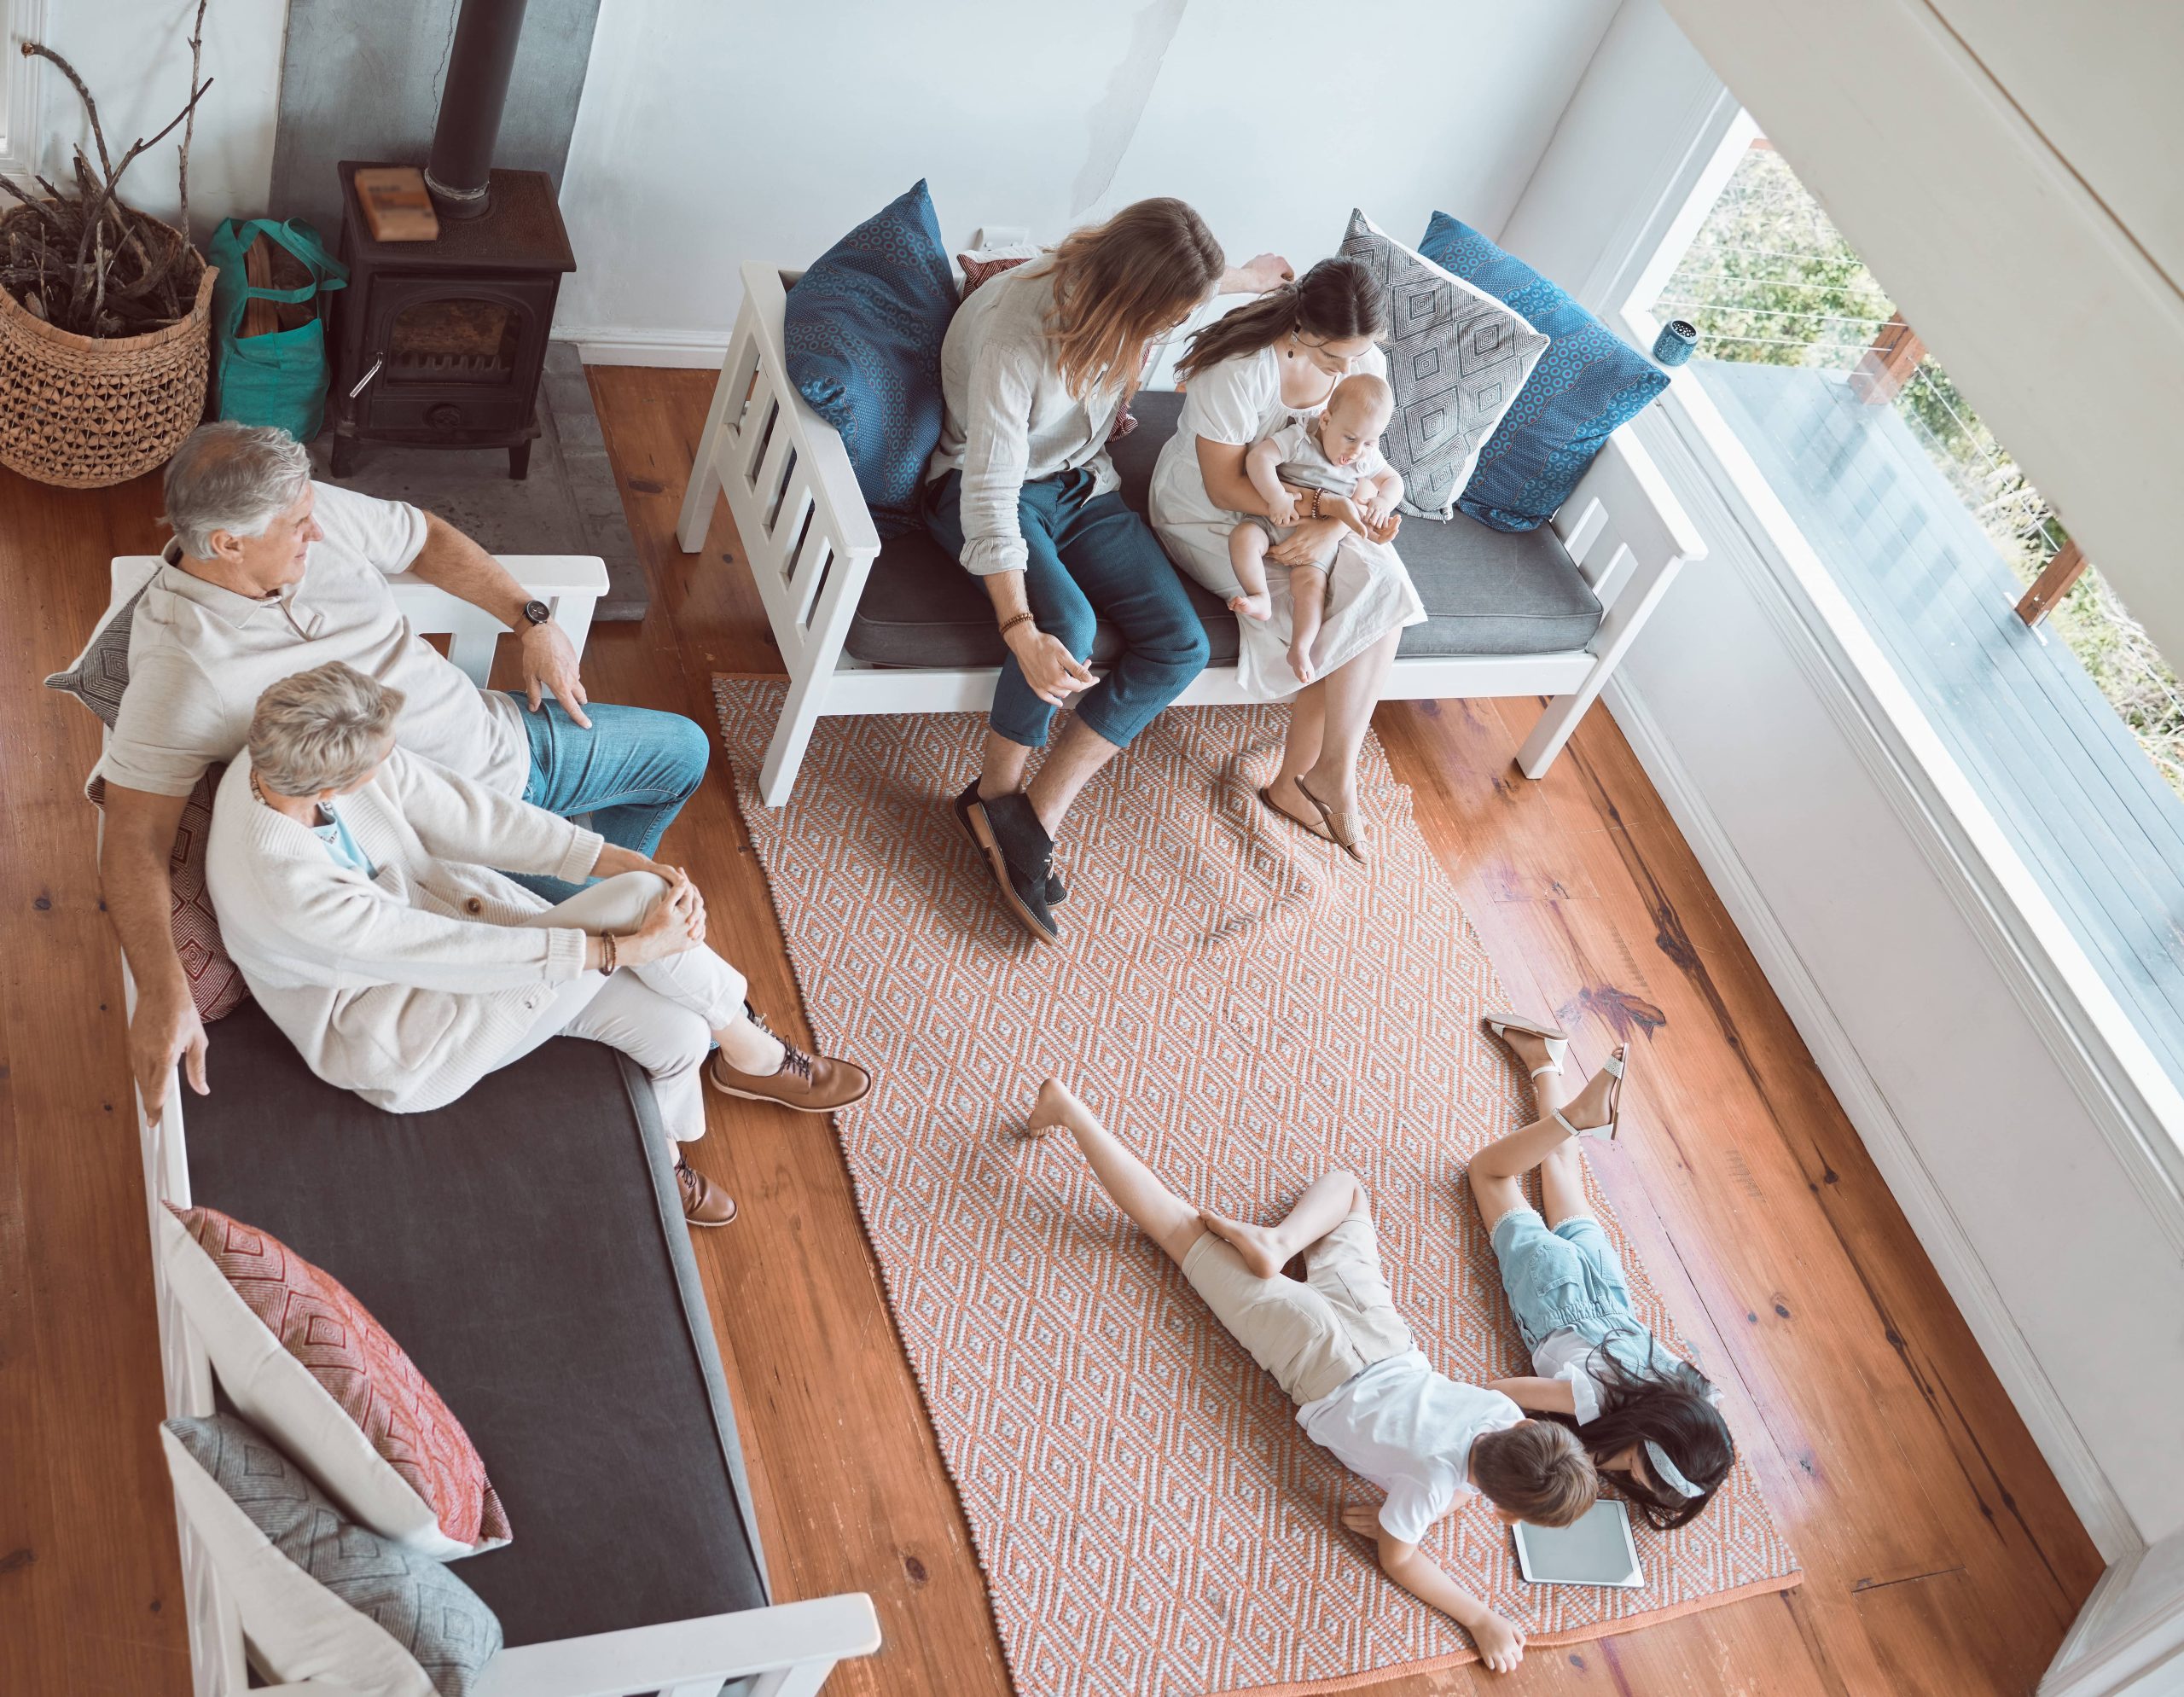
632, 772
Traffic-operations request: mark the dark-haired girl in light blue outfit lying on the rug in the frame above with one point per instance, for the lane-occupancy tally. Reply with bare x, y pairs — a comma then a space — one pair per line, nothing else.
1648, 1416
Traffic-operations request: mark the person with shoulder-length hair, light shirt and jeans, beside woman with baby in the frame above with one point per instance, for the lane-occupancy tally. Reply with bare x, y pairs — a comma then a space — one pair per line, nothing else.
1036, 370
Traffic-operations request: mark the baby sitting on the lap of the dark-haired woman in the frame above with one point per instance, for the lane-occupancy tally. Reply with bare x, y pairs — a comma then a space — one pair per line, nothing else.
1338, 464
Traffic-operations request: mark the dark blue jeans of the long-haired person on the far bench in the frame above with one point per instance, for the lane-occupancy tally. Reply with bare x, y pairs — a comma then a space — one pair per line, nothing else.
1091, 558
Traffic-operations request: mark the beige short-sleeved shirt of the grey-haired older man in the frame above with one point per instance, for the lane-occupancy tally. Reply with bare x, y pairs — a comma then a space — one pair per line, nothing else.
200, 656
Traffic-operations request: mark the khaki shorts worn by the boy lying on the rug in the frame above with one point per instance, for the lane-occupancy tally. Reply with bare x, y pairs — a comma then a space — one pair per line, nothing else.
1316, 1336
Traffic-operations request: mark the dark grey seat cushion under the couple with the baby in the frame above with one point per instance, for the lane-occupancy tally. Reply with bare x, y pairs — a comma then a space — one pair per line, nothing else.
1484, 591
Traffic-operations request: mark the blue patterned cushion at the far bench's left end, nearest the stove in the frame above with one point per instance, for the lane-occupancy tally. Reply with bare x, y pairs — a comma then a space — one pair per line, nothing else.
864, 335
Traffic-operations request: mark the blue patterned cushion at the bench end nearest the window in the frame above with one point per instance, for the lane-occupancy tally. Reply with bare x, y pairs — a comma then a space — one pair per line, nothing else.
1584, 388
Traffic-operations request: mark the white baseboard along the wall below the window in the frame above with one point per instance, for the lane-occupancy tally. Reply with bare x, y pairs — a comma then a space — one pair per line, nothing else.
1914, 1187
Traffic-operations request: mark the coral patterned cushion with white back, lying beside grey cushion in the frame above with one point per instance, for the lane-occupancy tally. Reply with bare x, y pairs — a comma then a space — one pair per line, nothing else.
307, 1362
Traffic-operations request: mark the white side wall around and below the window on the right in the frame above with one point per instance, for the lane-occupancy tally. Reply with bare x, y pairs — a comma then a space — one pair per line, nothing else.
2063, 1270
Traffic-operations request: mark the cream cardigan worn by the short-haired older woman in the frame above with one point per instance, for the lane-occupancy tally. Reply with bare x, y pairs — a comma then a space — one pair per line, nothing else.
409, 986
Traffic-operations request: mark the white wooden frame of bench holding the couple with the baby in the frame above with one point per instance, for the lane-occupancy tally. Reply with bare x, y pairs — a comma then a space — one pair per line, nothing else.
811, 543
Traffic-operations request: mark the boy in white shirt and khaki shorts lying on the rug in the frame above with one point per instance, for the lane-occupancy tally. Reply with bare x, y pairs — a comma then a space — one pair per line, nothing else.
1346, 1357
